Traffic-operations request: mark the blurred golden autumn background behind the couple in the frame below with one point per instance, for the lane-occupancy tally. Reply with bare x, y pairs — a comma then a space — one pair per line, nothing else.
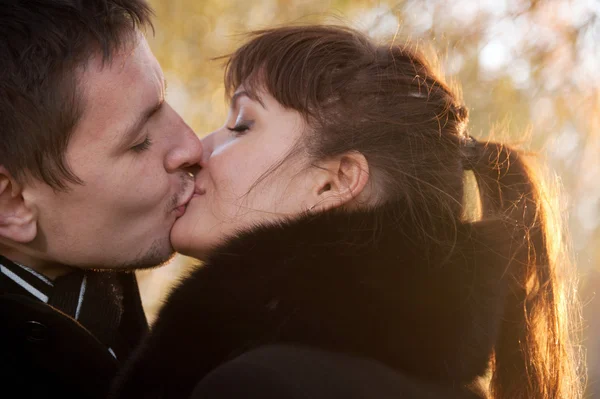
531, 67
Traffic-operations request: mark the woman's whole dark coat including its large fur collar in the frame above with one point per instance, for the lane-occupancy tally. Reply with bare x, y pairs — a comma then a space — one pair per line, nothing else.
330, 304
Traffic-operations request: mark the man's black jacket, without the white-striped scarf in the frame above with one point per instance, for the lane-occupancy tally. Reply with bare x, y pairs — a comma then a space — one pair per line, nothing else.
44, 353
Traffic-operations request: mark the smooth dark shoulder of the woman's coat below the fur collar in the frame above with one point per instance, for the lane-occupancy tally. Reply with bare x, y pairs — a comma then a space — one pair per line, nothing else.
300, 372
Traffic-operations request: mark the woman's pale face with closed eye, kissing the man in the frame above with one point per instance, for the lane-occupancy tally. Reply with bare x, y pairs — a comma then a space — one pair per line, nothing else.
234, 189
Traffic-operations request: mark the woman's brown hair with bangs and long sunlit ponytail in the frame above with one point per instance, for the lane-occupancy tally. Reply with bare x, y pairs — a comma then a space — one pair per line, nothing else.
387, 102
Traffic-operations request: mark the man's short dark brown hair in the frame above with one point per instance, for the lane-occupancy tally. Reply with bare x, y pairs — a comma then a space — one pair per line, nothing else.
42, 44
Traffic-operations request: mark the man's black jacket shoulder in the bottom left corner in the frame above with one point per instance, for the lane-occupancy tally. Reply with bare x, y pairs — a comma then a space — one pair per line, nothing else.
39, 343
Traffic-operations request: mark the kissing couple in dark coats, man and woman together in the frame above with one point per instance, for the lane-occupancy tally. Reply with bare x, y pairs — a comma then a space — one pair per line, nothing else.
328, 212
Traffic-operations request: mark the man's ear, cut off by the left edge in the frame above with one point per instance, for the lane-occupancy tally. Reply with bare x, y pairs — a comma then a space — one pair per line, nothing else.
17, 218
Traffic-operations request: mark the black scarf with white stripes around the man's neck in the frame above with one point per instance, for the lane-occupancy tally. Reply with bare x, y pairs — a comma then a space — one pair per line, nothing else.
95, 299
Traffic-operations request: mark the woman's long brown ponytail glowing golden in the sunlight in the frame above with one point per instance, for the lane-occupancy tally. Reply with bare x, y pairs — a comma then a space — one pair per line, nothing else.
533, 358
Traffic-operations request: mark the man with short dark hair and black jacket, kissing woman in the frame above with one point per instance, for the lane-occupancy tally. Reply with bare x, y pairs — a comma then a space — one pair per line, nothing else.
94, 170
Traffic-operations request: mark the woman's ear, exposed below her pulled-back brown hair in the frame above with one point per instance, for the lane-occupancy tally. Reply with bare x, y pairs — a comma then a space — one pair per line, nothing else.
340, 180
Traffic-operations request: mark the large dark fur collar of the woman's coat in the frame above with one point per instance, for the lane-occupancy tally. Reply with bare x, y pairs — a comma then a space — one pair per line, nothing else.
365, 283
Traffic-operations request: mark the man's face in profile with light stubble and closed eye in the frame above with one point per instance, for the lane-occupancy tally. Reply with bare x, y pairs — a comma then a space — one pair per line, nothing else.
131, 150
